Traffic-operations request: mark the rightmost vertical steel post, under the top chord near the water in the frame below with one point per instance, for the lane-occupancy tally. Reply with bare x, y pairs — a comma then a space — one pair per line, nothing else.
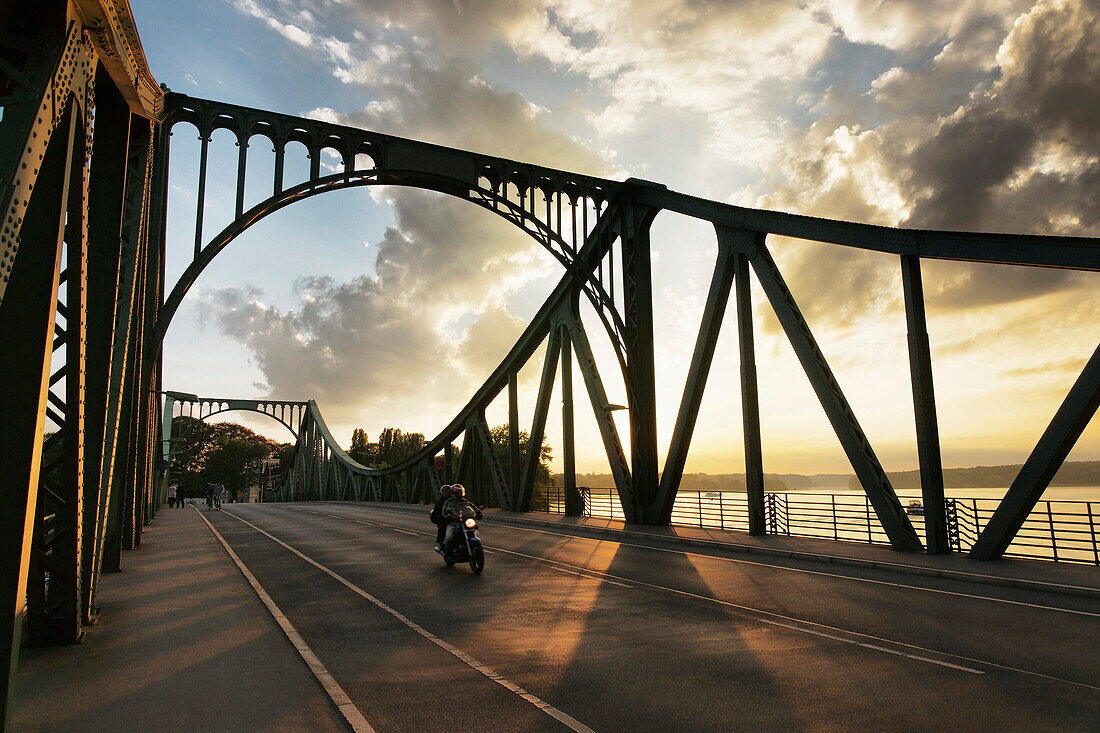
925, 410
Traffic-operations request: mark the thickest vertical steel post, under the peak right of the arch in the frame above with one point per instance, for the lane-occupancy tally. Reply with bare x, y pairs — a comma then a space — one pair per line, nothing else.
639, 303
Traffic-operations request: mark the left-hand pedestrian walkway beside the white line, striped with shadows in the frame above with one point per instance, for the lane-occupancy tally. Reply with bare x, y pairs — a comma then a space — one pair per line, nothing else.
183, 644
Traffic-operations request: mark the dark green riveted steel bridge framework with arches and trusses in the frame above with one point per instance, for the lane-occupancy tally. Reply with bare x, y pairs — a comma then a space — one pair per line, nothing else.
85, 140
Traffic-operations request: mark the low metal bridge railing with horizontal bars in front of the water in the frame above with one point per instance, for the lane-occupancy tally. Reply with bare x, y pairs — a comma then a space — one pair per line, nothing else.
1062, 531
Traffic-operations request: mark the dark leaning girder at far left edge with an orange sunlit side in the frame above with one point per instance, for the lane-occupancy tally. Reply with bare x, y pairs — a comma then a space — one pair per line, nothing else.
27, 329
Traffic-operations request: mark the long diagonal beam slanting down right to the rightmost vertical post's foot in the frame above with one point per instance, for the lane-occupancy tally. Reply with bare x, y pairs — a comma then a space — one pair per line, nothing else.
861, 455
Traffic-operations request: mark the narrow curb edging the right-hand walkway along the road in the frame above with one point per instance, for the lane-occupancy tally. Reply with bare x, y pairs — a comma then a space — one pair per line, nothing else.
801, 555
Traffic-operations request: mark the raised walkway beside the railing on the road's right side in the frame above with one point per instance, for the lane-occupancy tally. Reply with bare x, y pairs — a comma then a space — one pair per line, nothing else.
1063, 578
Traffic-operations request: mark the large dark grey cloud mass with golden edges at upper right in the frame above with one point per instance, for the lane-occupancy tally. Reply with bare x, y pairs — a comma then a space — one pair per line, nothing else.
996, 133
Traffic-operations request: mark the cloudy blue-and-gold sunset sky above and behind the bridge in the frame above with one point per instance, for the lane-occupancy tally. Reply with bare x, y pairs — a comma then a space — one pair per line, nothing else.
391, 307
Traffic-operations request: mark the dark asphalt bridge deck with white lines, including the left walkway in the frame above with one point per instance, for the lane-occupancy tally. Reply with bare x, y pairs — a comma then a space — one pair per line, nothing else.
641, 634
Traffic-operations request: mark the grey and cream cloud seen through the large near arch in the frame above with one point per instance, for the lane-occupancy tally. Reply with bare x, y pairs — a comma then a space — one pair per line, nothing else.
432, 322
